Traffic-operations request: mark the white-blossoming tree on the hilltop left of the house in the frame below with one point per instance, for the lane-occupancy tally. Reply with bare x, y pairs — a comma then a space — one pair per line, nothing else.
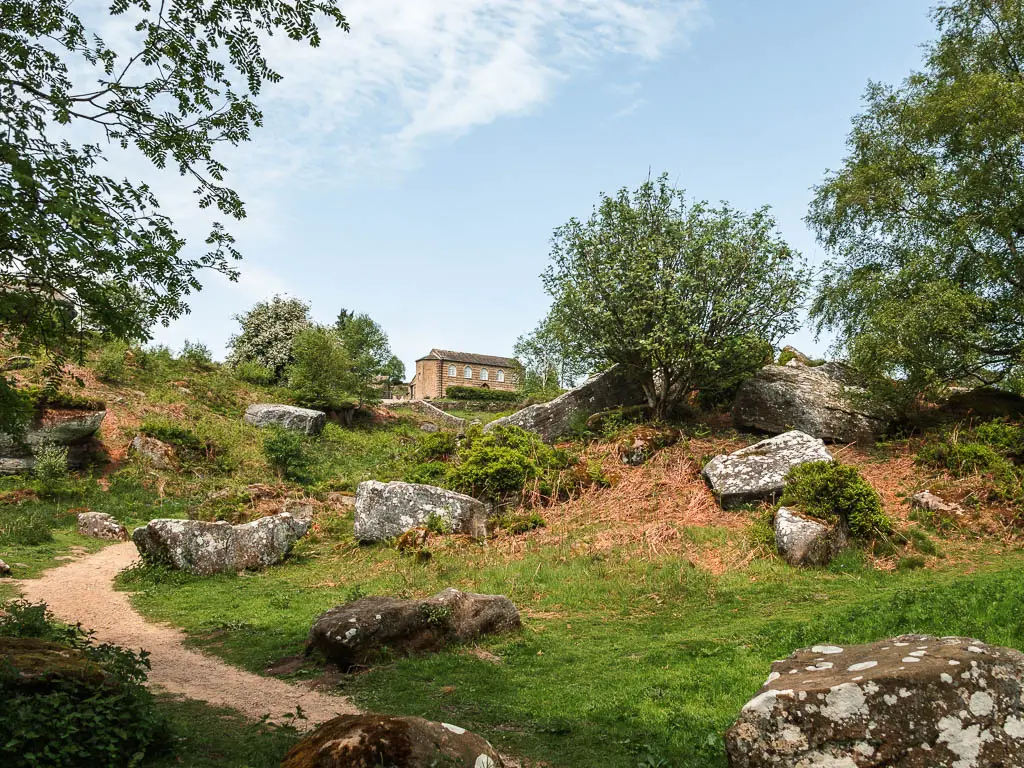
269, 332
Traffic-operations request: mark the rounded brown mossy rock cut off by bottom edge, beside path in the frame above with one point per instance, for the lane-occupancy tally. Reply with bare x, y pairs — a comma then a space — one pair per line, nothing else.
374, 741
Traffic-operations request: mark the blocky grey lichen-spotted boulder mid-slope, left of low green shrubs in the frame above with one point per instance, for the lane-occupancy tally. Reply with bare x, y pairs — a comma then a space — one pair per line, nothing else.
387, 510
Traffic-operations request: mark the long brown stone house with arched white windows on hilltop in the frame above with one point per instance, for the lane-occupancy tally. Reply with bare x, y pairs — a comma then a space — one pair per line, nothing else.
443, 369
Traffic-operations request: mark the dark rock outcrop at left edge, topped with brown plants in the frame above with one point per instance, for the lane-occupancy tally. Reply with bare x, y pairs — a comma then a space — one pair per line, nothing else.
70, 429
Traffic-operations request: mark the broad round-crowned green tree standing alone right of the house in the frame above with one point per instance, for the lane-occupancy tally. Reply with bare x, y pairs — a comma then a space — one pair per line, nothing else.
684, 296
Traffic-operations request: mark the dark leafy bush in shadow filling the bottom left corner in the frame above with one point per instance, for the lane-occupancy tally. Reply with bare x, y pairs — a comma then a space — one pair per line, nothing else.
70, 721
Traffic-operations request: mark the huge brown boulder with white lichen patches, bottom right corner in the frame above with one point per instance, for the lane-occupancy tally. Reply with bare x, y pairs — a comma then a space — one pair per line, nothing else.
913, 702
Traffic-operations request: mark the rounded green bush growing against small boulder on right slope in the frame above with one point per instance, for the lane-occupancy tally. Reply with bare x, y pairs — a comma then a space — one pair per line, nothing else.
836, 493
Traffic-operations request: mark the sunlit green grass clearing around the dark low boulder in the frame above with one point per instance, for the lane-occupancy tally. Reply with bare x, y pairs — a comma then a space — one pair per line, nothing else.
620, 658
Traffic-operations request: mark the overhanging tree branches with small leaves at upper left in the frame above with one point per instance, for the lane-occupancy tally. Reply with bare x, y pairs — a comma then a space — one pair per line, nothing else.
76, 243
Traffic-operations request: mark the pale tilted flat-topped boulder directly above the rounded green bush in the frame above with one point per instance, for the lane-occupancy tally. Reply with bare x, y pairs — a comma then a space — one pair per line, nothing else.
758, 473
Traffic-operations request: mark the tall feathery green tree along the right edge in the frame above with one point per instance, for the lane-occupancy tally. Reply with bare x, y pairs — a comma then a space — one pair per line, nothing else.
925, 219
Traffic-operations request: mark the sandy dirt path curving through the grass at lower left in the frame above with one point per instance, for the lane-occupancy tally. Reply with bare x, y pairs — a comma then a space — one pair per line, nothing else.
82, 591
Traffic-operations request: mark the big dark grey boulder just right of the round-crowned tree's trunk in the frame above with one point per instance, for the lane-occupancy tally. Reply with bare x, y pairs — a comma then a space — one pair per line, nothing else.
820, 401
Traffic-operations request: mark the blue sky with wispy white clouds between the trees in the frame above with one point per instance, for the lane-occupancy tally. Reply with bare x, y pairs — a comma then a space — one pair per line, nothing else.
416, 168
